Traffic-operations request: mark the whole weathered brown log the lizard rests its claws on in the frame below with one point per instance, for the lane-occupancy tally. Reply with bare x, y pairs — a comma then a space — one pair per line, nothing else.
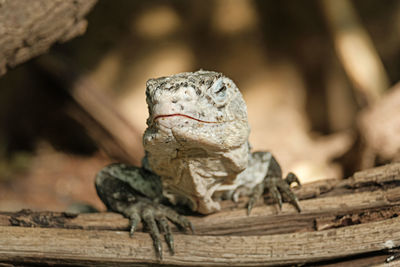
352, 221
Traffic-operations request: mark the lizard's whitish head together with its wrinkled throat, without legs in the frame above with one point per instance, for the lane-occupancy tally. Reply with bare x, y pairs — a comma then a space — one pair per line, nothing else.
197, 134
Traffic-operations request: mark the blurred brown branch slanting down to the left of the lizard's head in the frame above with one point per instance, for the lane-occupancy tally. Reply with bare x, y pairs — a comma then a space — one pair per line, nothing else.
95, 111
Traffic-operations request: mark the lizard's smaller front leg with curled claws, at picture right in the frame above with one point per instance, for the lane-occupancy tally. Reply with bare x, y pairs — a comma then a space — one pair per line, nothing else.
274, 183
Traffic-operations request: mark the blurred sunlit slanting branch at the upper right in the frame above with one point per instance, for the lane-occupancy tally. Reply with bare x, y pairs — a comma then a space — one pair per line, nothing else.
356, 50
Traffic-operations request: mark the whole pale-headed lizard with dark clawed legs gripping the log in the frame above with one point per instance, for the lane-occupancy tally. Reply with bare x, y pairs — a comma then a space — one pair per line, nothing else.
196, 153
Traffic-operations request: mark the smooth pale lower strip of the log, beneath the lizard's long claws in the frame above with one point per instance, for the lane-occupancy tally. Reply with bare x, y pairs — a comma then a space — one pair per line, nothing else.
74, 246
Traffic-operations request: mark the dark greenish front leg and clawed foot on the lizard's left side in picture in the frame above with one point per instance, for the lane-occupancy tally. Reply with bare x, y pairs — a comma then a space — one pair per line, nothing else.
136, 193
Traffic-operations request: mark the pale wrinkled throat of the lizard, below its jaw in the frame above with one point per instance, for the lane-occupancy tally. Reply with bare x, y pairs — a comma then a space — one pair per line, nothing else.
191, 176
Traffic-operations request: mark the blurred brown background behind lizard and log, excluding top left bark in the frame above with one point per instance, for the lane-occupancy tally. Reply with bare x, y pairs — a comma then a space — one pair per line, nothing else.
319, 79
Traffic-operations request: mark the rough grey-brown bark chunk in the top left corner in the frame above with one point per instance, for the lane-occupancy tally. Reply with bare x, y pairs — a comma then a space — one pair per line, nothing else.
29, 28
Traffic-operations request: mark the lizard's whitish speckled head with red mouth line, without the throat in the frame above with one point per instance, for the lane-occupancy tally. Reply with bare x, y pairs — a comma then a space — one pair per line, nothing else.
202, 108
